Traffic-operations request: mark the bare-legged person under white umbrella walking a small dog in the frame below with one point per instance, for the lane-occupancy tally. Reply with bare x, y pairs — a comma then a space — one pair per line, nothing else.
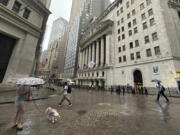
21, 96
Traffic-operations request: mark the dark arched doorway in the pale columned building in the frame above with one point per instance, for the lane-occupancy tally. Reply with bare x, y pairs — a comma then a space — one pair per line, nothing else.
138, 81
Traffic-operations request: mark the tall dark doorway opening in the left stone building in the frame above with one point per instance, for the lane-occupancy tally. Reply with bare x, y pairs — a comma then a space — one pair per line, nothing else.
6, 48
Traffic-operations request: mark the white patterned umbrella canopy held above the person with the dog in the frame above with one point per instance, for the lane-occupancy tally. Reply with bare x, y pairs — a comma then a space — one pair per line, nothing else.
30, 81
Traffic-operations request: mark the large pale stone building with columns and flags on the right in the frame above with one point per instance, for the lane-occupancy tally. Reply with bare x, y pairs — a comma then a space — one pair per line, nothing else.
132, 43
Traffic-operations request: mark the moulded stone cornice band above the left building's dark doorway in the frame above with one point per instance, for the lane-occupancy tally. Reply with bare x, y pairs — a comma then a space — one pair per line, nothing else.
12, 18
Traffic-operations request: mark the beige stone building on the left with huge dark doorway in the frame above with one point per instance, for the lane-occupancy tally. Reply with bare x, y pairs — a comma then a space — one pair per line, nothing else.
24, 22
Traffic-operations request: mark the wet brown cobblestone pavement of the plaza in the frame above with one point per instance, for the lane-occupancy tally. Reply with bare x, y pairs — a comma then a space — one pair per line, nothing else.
97, 113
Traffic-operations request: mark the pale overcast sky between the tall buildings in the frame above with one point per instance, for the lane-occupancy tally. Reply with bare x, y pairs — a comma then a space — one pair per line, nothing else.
58, 8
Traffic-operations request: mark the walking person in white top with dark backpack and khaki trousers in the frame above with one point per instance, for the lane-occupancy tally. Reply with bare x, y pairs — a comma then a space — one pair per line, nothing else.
67, 92
